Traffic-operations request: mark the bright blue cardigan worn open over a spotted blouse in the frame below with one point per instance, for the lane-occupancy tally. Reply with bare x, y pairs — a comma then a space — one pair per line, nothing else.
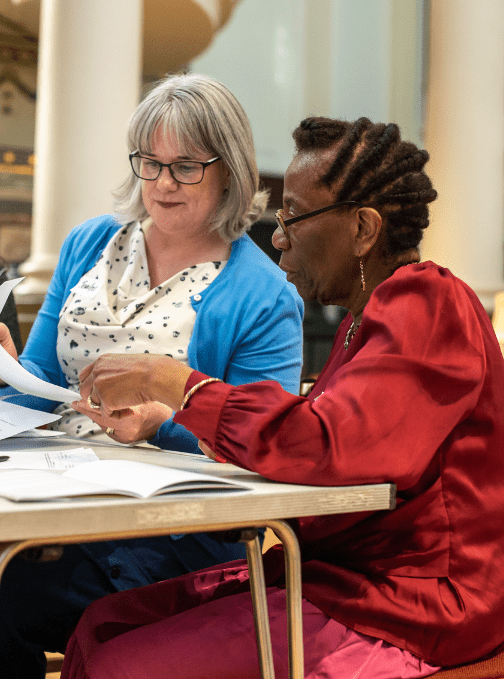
248, 322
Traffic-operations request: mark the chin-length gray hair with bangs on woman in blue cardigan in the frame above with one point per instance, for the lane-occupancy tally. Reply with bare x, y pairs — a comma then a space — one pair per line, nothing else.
203, 115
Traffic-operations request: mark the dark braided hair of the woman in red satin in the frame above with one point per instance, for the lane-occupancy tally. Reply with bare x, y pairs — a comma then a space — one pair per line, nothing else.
372, 165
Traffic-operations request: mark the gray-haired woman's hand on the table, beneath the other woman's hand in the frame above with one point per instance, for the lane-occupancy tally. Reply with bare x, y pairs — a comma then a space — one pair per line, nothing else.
139, 423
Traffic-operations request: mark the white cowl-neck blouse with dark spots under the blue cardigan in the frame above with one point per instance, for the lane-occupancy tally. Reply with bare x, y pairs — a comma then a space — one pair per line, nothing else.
114, 309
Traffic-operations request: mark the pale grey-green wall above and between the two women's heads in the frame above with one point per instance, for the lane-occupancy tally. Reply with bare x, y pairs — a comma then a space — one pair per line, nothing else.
293, 58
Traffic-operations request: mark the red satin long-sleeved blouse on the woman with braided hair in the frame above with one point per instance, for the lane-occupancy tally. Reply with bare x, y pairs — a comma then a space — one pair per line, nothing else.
418, 400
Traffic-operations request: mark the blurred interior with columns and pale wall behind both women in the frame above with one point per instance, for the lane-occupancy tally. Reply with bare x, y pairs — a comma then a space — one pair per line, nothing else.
72, 71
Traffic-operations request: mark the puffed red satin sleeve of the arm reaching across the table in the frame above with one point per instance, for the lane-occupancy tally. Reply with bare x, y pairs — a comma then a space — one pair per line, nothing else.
413, 371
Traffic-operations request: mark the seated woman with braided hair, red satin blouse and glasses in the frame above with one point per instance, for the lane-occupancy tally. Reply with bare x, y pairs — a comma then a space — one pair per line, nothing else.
411, 394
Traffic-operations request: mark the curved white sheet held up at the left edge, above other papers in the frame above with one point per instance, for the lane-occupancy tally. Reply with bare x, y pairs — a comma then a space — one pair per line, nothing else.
14, 374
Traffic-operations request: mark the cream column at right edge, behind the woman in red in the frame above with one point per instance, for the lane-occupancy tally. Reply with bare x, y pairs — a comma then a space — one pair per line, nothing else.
465, 137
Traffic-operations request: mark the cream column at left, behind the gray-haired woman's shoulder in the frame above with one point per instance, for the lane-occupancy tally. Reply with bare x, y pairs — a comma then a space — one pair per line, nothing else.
89, 82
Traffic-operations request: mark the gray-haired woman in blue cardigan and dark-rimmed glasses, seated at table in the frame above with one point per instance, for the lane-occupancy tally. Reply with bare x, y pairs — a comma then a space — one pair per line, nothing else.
173, 274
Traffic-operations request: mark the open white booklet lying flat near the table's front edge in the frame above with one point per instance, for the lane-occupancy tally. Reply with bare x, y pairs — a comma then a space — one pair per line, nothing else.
108, 477
